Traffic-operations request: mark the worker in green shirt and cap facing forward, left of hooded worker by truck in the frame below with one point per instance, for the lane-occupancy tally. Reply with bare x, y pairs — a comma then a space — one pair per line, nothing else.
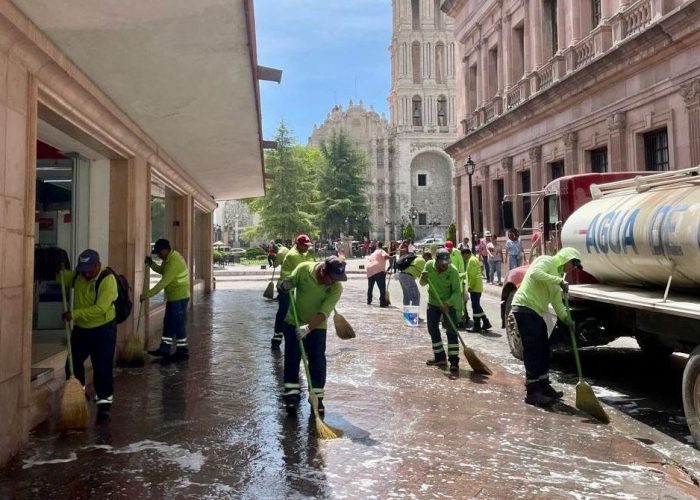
444, 291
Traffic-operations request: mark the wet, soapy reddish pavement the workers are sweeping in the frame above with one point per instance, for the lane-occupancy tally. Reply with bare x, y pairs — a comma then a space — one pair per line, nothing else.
214, 427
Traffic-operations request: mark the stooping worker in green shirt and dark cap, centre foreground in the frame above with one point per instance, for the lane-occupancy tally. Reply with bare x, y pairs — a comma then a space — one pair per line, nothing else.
318, 290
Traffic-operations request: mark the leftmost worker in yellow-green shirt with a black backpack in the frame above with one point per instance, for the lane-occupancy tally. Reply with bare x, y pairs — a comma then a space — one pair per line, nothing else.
94, 331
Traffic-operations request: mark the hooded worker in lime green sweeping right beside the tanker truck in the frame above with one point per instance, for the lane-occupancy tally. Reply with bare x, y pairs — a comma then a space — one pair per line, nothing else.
543, 284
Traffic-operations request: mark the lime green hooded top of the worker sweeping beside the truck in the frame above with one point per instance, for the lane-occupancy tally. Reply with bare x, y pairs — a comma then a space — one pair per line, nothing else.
541, 284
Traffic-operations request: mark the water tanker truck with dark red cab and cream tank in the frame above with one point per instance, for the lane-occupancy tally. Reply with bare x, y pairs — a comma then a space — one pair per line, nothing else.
639, 238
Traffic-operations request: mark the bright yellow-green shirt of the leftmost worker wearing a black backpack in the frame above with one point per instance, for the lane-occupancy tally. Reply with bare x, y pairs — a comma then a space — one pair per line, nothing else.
91, 308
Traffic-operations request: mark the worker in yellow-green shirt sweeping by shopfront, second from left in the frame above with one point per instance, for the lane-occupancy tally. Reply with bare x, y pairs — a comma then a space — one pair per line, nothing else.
176, 283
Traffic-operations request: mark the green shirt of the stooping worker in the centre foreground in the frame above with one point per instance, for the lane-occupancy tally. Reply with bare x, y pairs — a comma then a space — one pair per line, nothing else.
312, 297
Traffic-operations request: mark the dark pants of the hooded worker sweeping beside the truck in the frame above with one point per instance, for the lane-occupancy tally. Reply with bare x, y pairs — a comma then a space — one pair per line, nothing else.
536, 351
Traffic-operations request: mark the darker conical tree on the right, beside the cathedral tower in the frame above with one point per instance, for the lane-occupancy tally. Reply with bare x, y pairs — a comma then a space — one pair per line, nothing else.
340, 188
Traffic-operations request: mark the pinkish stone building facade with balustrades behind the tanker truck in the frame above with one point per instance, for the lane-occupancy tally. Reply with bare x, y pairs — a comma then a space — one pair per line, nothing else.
558, 87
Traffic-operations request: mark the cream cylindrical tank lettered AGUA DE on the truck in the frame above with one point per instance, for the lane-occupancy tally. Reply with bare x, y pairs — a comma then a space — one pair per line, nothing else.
640, 238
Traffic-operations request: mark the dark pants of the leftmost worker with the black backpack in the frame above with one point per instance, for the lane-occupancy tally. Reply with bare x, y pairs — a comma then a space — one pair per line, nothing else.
99, 344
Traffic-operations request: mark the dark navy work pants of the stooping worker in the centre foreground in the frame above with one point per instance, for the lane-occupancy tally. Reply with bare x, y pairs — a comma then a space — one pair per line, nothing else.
315, 346
